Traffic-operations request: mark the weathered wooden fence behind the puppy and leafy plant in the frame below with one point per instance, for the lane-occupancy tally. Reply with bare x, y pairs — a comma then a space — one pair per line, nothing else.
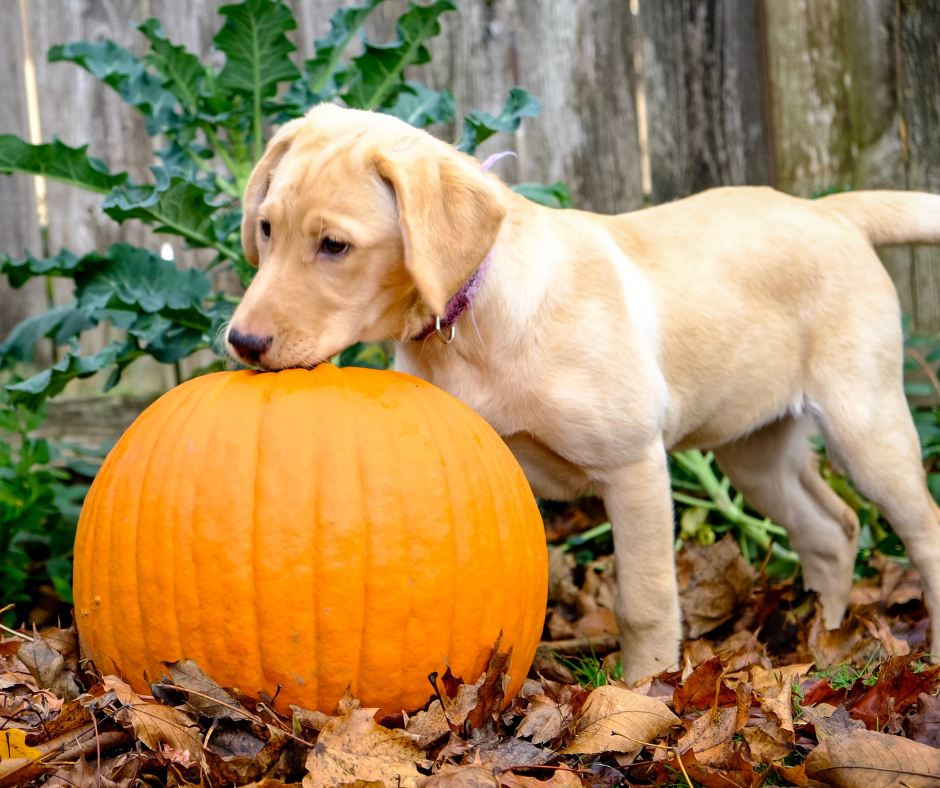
642, 101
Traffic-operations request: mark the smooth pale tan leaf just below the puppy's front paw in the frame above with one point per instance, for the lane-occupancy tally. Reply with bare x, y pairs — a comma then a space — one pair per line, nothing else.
615, 719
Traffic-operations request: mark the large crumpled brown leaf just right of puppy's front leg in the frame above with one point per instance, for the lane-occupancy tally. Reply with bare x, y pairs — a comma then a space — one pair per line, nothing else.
714, 580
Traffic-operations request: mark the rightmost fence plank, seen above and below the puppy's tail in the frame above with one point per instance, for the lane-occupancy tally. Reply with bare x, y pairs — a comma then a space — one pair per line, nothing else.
919, 46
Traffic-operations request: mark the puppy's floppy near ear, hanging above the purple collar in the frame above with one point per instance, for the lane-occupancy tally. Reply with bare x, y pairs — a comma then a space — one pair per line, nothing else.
450, 212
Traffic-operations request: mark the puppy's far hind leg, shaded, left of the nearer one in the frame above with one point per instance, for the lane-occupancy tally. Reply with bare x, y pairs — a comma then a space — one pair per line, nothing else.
777, 471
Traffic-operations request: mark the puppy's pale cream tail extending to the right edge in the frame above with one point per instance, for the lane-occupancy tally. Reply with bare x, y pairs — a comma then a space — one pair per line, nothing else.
891, 217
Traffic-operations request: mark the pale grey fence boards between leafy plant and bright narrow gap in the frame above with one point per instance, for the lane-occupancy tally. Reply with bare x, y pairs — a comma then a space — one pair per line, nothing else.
577, 58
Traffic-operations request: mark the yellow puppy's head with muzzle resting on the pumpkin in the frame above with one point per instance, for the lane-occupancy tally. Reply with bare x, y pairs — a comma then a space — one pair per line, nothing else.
362, 229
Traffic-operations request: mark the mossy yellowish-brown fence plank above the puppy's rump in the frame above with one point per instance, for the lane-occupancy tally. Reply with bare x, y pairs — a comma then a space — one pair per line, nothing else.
809, 100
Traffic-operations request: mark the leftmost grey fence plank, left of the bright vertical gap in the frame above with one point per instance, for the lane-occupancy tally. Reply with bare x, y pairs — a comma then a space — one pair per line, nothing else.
19, 224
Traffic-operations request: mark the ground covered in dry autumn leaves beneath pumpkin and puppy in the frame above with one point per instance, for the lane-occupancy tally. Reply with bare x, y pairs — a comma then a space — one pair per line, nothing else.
765, 696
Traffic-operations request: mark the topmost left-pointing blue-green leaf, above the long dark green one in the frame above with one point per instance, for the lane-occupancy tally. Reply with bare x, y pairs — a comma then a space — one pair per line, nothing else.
121, 70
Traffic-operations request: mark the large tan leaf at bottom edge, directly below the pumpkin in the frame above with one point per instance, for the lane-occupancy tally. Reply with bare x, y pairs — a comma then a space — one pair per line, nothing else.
354, 747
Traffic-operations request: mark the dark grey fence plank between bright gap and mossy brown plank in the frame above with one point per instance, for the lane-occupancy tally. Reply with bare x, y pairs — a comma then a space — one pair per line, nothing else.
702, 73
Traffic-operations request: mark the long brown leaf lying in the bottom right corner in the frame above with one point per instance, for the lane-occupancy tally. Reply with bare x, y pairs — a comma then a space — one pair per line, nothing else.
866, 759
